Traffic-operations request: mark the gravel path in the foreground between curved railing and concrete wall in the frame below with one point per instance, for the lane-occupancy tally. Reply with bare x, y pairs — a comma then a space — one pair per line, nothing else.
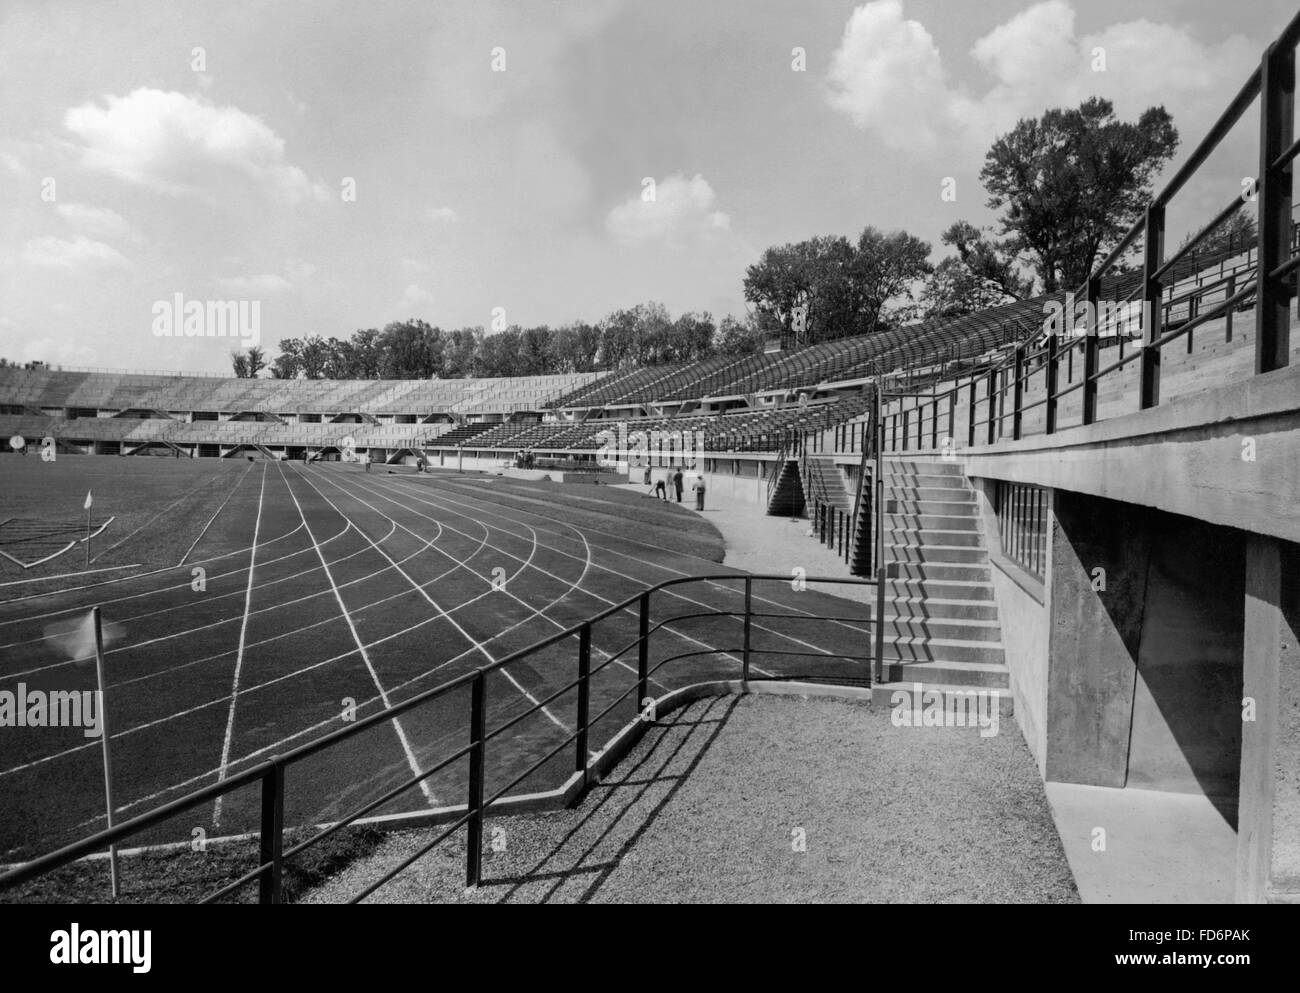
713, 804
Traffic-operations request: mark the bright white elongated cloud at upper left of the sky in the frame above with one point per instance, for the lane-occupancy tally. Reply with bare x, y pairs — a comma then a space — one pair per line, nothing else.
184, 145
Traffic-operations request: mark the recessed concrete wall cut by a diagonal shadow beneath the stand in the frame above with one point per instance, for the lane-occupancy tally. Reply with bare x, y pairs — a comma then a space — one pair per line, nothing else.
1146, 673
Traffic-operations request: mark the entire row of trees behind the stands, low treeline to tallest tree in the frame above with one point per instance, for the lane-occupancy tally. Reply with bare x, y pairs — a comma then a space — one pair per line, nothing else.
1068, 187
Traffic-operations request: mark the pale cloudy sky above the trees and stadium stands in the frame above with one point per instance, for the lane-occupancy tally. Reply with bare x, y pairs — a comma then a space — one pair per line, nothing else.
345, 164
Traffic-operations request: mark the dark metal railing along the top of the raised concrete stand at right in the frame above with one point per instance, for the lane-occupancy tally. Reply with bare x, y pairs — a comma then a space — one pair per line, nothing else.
998, 394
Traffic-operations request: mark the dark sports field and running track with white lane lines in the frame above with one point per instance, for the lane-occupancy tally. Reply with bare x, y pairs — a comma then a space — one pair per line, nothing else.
330, 593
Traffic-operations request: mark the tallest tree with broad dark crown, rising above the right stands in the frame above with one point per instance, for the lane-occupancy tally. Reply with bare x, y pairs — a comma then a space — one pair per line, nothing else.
1073, 183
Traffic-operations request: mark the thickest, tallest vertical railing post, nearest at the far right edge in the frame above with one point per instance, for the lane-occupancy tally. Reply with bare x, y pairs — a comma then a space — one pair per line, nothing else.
1273, 296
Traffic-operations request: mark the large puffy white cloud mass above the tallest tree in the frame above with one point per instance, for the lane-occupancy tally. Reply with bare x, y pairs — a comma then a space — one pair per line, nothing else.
889, 76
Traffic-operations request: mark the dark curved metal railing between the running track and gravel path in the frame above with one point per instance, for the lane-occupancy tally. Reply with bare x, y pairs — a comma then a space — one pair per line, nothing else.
272, 775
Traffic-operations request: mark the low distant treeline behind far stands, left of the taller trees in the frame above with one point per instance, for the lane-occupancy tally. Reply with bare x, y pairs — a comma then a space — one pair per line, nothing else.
414, 350
